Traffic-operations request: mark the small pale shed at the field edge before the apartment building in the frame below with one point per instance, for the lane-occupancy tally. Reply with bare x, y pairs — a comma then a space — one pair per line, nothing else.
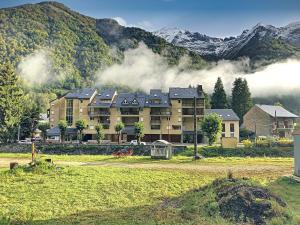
161, 149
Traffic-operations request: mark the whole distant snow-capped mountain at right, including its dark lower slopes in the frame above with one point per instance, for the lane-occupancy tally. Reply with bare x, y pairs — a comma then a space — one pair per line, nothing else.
262, 42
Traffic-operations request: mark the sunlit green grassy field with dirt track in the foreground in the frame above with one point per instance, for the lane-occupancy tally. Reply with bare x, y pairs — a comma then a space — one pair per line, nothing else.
131, 190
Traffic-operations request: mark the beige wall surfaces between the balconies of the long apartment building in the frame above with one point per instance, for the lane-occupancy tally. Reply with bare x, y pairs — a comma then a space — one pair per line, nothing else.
81, 111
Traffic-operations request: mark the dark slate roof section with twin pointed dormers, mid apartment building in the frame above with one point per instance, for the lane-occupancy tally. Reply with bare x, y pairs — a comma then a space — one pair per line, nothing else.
127, 100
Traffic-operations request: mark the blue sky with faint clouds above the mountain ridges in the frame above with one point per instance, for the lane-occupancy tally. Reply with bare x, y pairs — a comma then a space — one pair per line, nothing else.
218, 18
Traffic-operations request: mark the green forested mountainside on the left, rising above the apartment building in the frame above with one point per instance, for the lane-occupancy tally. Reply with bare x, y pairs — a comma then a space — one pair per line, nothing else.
77, 45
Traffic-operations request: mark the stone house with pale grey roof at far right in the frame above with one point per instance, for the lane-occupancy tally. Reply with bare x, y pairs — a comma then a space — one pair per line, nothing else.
269, 120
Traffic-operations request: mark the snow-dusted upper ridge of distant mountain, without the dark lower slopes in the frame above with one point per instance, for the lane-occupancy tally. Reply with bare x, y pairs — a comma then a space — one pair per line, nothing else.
225, 47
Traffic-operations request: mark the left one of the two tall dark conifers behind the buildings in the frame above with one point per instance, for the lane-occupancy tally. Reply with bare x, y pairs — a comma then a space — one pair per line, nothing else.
219, 98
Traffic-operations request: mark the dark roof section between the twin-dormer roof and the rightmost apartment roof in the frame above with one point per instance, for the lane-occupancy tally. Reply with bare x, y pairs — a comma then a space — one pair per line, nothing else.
157, 94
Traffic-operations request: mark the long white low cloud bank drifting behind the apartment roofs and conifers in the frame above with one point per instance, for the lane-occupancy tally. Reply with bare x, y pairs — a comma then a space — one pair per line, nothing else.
143, 69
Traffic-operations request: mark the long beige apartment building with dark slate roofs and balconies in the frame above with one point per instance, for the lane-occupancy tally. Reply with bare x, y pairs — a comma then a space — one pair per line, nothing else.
167, 116
